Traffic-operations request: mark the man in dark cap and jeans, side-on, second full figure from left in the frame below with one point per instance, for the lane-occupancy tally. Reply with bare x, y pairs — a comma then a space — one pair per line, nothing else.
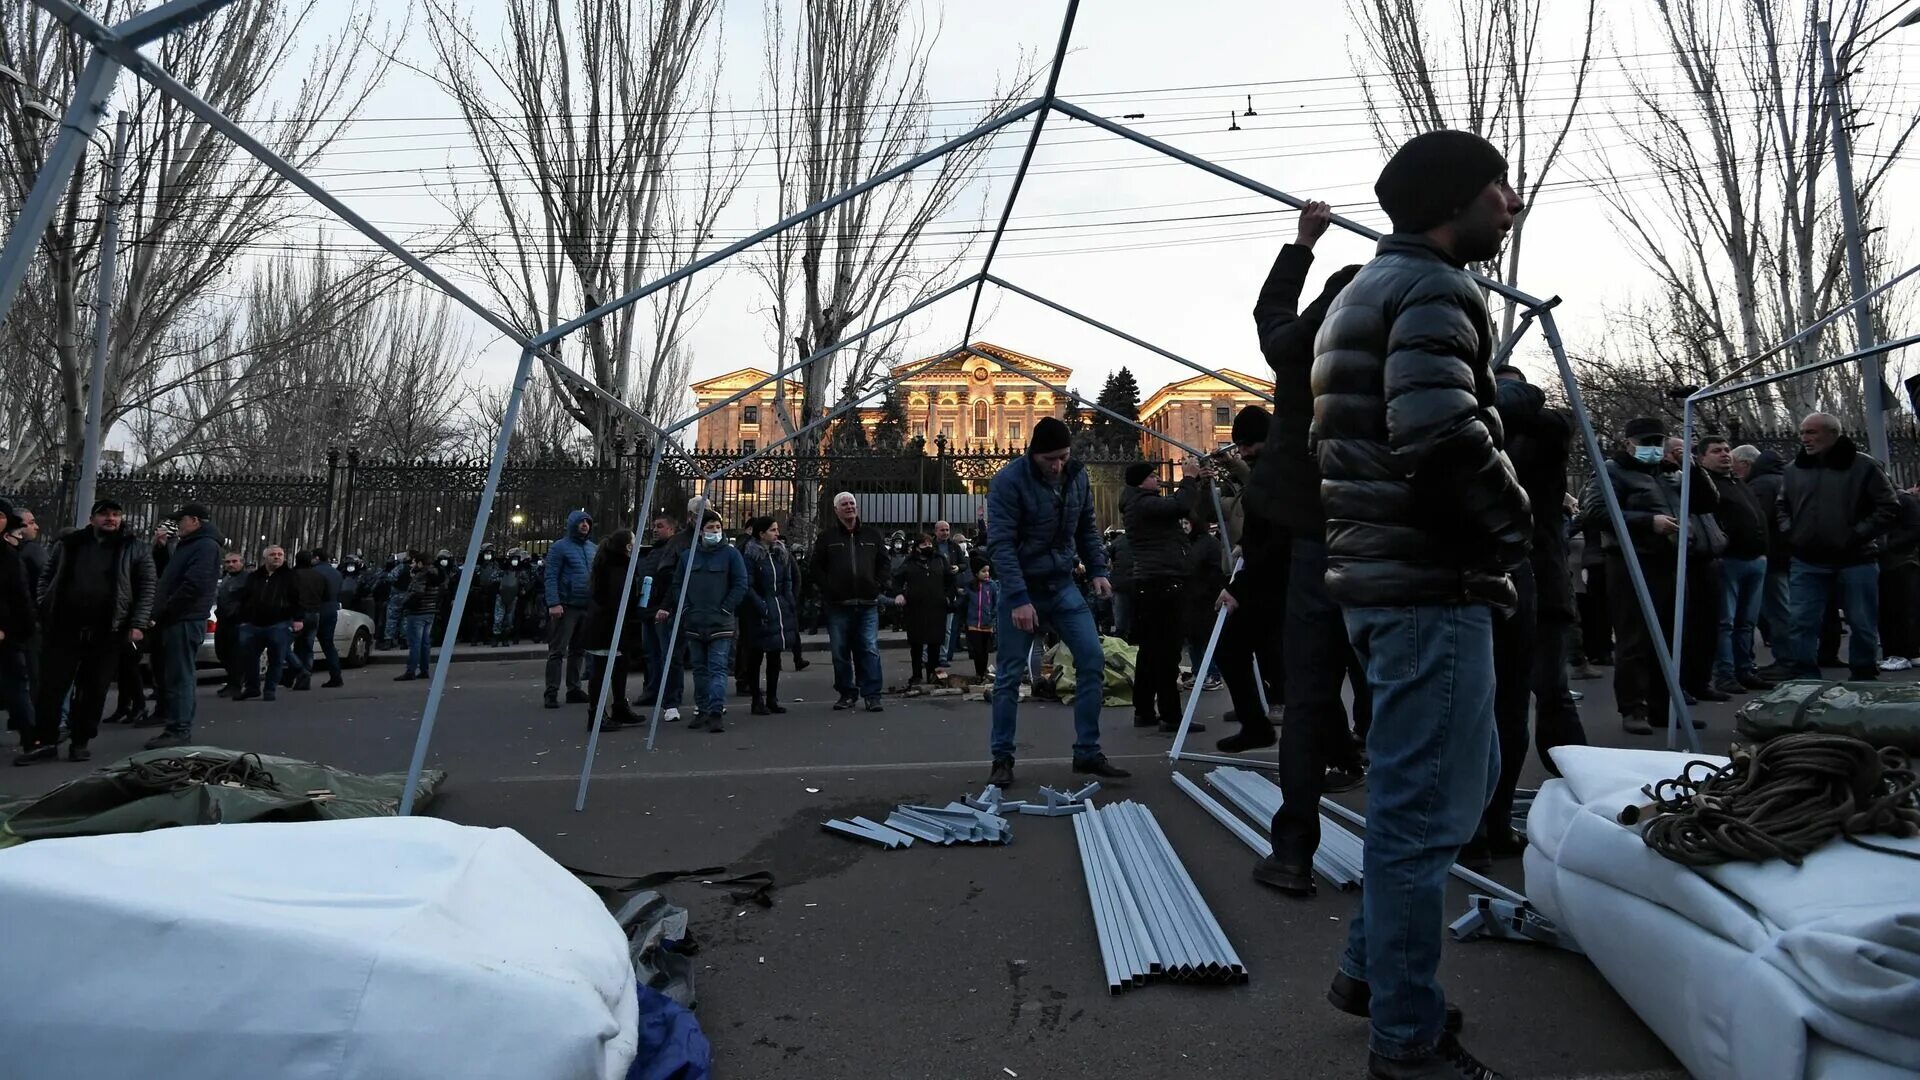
187, 595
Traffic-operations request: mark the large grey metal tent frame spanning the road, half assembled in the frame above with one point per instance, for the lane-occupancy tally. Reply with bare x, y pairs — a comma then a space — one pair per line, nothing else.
120, 47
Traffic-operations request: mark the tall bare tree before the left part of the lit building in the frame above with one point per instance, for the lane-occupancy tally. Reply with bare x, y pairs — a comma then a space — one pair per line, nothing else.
848, 87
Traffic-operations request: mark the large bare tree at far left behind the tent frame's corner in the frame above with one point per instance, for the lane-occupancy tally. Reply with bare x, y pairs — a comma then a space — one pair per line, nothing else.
191, 203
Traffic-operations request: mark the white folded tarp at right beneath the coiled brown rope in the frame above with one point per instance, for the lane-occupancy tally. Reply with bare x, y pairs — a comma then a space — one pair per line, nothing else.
1748, 971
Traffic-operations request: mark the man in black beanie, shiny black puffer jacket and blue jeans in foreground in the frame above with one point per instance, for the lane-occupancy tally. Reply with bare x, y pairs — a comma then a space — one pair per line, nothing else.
1426, 524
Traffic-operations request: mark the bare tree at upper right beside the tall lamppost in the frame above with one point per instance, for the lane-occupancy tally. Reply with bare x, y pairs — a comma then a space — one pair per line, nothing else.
1725, 191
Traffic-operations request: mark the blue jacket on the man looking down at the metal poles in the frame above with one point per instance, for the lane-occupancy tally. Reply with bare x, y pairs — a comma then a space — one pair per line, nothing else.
1038, 531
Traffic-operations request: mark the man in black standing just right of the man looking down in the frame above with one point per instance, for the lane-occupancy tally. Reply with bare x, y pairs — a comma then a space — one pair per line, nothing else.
1159, 591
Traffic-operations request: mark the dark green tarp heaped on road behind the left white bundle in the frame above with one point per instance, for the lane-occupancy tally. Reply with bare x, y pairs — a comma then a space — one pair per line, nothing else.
204, 785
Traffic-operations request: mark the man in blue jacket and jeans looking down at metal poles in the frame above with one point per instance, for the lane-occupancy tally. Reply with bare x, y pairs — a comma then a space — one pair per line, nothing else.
1040, 526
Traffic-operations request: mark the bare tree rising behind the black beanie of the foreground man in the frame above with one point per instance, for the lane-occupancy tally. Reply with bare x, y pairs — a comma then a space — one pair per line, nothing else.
1476, 68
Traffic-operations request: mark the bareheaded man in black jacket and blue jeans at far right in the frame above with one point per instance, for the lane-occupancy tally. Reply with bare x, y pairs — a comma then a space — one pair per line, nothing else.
1835, 508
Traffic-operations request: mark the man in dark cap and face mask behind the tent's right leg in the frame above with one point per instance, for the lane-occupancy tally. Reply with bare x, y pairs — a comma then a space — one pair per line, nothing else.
1646, 485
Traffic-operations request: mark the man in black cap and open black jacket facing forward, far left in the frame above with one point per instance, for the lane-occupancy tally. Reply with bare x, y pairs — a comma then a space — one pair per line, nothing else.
97, 599
